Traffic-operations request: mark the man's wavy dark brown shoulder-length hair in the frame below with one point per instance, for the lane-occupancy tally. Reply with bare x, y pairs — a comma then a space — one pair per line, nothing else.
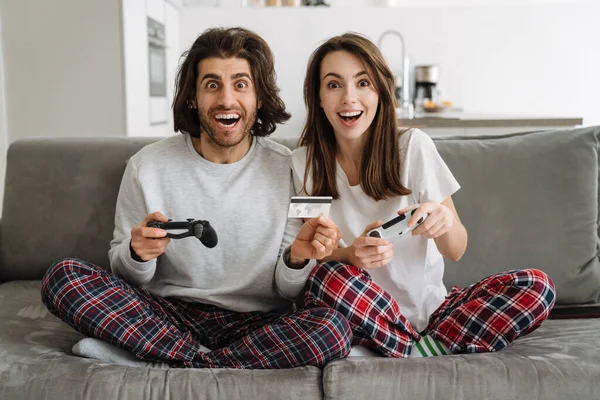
229, 43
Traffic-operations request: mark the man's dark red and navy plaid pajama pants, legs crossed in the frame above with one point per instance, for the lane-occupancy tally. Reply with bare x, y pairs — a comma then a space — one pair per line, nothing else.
99, 304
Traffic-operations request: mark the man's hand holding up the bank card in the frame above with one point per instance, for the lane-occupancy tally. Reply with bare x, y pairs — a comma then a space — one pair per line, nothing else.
317, 239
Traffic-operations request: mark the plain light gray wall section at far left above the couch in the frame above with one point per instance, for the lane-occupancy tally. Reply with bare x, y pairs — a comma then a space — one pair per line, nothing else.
62, 63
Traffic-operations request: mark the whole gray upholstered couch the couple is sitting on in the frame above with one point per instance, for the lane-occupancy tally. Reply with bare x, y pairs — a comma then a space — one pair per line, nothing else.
527, 200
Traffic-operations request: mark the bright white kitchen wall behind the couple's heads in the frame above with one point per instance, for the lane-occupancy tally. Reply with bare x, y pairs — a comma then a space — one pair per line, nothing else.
523, 59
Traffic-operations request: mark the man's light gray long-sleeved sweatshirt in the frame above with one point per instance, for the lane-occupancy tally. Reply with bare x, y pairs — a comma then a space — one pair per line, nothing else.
246, 202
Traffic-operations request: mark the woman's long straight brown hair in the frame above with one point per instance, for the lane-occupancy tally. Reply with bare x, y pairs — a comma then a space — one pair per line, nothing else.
381, 164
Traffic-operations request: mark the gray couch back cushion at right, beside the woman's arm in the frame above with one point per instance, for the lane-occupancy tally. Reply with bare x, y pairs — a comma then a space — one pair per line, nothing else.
529, 201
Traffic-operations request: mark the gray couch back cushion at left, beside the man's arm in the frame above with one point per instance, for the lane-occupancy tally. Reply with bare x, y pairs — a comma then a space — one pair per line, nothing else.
59, 201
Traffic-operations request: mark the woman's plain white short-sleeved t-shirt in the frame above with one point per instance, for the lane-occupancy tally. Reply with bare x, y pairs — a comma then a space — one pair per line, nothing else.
414, 276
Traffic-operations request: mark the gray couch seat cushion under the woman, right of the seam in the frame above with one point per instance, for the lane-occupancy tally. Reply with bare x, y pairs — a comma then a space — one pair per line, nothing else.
558, 361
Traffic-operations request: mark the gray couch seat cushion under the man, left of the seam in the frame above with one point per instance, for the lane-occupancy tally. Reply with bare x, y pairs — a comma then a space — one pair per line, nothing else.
36, 363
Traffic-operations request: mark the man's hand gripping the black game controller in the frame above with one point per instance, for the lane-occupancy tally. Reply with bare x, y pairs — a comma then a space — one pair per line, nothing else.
148, 243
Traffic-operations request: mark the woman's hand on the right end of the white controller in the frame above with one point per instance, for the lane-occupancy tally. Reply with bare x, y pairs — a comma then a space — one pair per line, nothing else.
440, 219
